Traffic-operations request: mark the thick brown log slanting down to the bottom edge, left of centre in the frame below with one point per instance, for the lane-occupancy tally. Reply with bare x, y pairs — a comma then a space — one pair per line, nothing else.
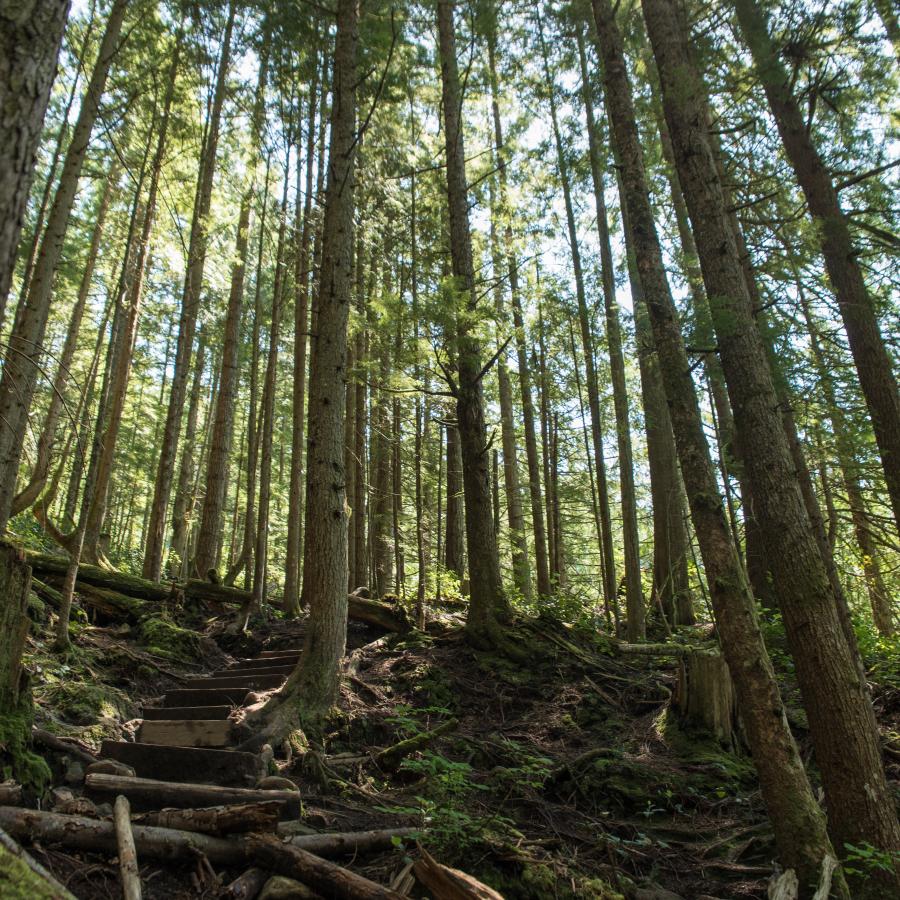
313, 871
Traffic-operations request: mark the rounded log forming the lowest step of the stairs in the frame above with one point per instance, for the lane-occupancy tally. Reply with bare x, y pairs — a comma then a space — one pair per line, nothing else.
147, 793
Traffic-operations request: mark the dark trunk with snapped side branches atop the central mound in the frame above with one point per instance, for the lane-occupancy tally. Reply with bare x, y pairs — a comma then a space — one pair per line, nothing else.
487, 604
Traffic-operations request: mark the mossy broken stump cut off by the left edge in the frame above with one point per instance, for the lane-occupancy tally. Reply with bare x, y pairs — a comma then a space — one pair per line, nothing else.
16, 710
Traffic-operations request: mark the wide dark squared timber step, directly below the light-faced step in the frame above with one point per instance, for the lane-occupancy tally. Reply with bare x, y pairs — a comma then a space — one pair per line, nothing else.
192, 764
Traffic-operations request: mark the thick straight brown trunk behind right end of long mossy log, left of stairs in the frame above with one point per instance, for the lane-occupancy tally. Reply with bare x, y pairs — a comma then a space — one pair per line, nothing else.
209, 537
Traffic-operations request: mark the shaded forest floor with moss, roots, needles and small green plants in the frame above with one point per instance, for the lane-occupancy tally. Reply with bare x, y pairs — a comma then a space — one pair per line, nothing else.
567, 777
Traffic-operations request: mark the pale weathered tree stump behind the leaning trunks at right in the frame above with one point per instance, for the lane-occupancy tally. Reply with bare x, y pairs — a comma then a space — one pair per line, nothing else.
704, 698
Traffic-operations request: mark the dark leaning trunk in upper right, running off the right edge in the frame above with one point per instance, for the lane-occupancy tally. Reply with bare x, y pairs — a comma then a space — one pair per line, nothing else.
873, 363
